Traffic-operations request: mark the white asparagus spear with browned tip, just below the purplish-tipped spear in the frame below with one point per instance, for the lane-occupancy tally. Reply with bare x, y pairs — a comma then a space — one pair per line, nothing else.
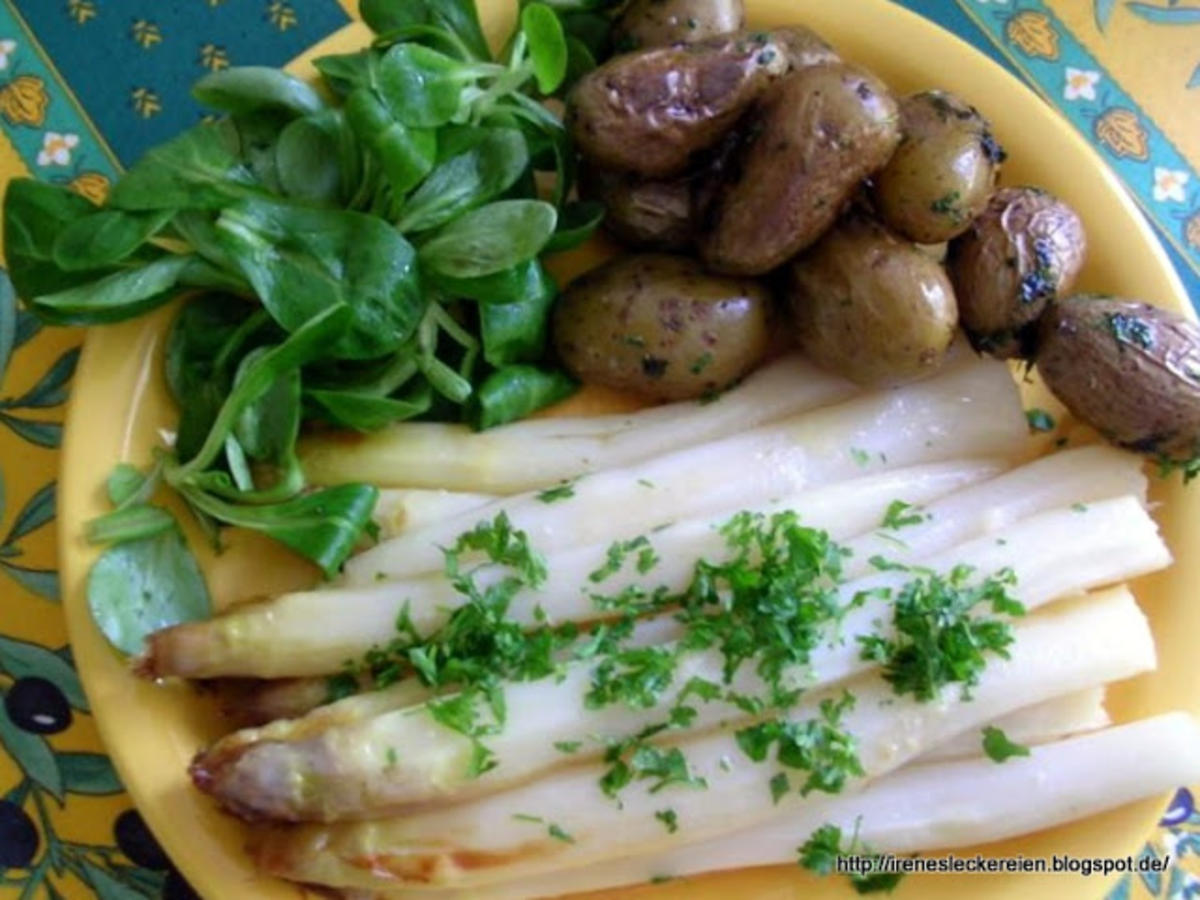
1065, 649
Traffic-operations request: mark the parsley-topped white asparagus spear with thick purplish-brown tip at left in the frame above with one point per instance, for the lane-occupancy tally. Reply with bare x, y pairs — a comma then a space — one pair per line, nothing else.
380, 765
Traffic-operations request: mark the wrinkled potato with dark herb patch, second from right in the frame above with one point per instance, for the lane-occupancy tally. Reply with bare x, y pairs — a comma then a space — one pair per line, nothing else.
1024, 251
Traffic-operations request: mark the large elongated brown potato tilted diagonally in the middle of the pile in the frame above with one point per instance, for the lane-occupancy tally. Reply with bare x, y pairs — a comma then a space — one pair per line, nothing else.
823, 131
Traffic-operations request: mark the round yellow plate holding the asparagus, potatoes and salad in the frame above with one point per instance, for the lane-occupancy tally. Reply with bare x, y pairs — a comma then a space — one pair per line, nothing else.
121, 404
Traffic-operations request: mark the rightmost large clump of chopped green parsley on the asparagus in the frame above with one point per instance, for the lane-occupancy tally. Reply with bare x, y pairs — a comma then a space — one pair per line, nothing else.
940, 639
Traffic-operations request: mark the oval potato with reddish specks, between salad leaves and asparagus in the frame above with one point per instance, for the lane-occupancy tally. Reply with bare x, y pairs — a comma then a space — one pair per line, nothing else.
662, 327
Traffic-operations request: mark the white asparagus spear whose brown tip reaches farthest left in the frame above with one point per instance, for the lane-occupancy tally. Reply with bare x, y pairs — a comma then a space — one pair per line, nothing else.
317, 632
